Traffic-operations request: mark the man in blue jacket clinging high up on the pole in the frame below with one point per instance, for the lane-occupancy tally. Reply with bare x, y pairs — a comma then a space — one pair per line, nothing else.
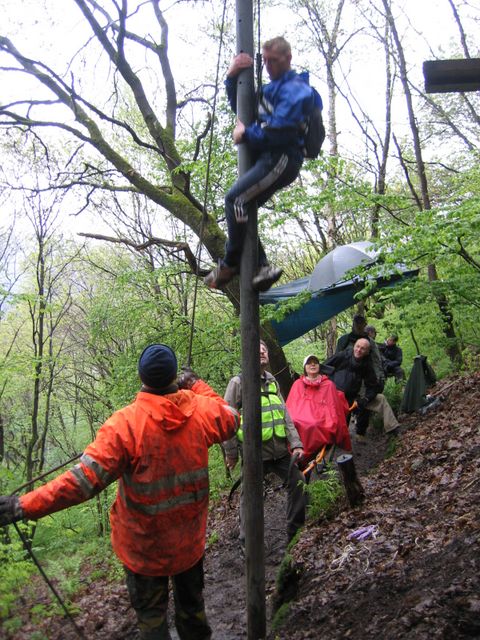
276, 143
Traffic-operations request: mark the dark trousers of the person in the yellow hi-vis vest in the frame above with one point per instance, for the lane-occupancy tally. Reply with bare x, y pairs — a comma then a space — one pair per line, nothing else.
296, 498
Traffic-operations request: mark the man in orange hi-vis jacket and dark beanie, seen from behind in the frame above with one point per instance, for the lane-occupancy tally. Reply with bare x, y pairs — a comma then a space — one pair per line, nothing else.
157, 449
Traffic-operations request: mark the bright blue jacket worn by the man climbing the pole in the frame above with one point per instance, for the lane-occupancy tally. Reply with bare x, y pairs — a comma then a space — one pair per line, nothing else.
285, 104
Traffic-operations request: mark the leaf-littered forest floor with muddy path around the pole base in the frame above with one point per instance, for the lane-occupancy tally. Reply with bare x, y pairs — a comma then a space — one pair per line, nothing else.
416, 575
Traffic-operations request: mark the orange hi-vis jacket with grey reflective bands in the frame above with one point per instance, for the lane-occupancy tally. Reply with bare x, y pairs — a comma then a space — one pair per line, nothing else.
157, 447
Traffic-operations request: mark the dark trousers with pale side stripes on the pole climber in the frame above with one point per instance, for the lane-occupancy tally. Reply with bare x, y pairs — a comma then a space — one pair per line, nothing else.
271, 172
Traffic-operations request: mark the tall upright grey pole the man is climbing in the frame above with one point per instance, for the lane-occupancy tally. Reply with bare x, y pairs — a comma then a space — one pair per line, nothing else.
250, 329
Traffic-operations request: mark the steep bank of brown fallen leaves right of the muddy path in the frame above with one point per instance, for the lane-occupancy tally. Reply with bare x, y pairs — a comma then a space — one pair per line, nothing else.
416, 573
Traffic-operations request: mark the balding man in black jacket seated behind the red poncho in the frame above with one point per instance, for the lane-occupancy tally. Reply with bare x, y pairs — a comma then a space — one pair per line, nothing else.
352, 368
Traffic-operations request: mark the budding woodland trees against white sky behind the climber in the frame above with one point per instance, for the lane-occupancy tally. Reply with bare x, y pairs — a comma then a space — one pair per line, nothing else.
105, 127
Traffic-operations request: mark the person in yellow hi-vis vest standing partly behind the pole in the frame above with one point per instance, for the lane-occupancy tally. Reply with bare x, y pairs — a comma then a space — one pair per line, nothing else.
280, 440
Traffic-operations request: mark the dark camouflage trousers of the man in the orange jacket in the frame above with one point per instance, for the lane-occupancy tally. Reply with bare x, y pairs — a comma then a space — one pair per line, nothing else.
149, 598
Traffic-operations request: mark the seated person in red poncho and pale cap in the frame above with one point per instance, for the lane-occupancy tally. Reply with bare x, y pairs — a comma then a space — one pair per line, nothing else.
318, 410
